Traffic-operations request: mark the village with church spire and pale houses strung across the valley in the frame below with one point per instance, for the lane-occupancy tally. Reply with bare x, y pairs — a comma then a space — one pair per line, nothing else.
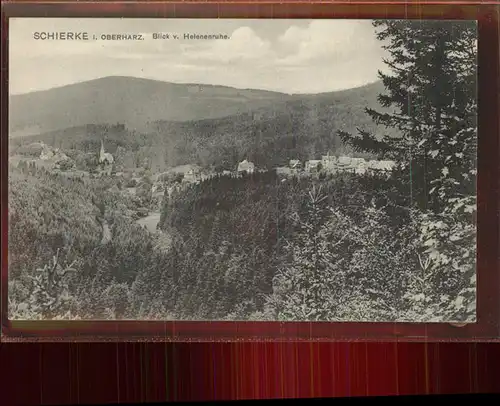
154, 187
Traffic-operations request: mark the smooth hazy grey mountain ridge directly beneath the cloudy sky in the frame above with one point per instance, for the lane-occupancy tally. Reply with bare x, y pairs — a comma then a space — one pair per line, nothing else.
137, 102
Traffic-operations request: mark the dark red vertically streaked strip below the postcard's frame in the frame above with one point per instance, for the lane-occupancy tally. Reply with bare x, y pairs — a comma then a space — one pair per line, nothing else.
74, 373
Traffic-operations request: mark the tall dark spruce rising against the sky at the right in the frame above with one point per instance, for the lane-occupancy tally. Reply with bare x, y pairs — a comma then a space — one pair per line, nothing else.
430, 100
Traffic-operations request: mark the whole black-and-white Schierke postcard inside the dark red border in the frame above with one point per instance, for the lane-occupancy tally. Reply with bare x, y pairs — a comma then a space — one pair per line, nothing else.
242, 170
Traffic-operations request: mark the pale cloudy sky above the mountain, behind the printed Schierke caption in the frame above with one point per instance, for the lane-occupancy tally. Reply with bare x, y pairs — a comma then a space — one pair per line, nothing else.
291, 56
